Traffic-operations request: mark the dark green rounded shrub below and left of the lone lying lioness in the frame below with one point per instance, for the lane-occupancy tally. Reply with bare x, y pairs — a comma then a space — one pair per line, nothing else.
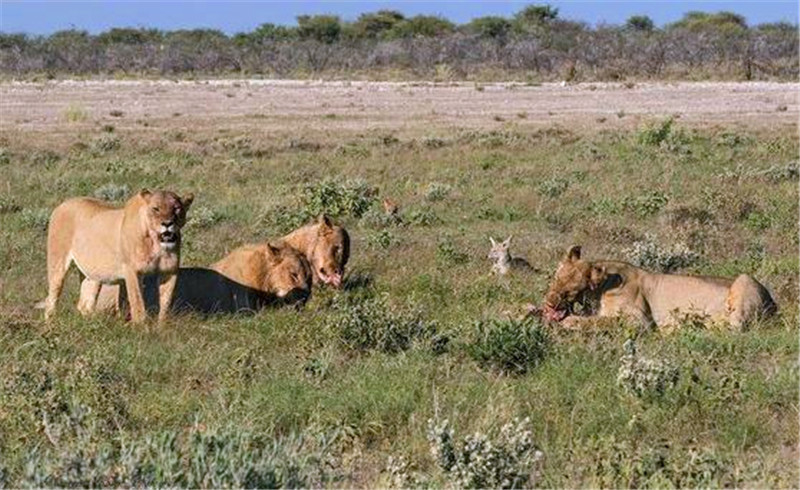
509, 346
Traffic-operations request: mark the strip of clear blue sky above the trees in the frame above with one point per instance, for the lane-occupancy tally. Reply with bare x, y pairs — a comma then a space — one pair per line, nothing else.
44, 17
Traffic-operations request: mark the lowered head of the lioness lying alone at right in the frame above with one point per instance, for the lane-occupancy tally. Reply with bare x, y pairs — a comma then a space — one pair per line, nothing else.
574, 278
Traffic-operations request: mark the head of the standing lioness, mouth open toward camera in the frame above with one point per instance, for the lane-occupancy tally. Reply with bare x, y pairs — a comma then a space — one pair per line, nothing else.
165, 212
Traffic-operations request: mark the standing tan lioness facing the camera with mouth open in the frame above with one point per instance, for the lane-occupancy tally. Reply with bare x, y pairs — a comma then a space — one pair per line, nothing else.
110, 245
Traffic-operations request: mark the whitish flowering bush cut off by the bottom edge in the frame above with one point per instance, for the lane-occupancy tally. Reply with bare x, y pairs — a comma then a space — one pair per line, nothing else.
509, 459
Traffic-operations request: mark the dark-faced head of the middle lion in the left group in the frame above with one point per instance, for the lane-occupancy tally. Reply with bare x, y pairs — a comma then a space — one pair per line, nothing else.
288, 276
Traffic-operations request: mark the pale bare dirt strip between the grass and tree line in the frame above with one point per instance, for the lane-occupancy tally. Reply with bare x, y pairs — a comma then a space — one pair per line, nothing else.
259, 106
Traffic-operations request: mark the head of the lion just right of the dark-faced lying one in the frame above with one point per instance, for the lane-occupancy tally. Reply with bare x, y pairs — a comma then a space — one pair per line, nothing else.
331, 252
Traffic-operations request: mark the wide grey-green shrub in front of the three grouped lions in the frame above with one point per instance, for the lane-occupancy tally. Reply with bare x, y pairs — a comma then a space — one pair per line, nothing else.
373, 324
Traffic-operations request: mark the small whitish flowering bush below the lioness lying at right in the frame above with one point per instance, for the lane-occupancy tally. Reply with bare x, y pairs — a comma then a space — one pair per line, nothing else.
644, 377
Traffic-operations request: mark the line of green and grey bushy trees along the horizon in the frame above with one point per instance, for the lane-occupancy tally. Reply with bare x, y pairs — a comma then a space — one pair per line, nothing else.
533, 44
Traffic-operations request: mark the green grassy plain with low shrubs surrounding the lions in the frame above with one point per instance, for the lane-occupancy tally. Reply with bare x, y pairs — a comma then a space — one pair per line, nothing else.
341, 393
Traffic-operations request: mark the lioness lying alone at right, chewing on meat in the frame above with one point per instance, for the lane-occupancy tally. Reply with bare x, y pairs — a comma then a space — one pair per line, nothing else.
649, 298
